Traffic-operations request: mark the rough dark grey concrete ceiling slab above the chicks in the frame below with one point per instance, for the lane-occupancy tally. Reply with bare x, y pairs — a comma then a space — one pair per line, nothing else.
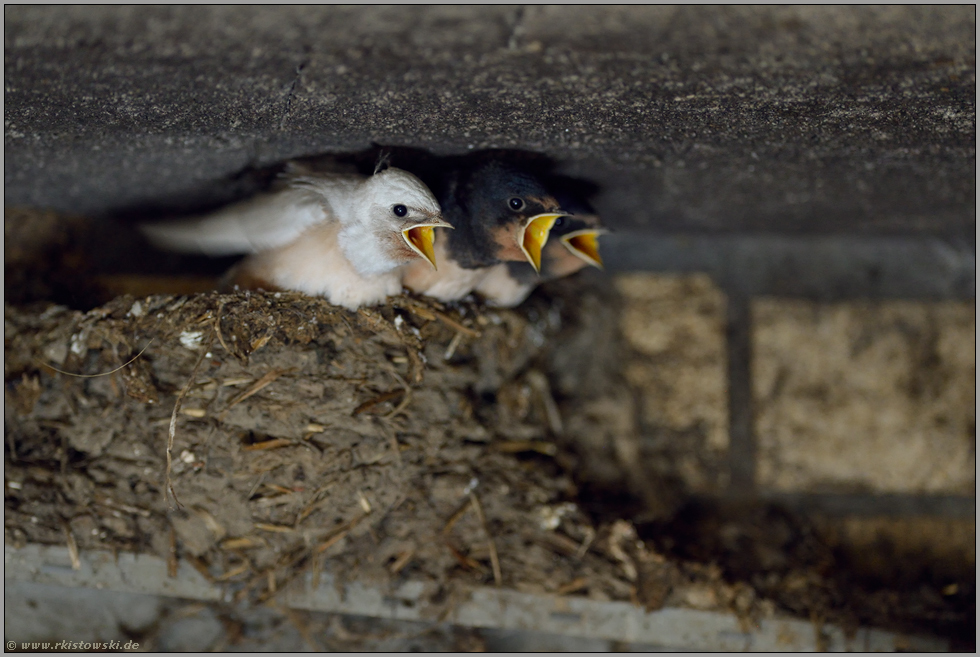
789, 119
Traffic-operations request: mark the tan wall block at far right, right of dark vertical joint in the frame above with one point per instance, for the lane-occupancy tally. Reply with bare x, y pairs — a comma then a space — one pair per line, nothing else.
866, 396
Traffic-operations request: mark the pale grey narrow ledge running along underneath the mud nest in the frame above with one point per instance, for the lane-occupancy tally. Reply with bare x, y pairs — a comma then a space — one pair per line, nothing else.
485, 607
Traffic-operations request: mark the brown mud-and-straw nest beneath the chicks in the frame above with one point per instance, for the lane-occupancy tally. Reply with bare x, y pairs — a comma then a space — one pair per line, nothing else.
411, 441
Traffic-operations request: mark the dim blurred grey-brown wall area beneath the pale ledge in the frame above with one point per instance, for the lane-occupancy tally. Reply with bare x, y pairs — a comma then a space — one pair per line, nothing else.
44, 612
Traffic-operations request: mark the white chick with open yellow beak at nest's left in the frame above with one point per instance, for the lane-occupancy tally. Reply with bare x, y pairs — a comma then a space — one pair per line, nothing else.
340, 236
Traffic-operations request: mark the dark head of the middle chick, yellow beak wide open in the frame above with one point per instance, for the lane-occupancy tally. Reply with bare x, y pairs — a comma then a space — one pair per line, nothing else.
509, 214
